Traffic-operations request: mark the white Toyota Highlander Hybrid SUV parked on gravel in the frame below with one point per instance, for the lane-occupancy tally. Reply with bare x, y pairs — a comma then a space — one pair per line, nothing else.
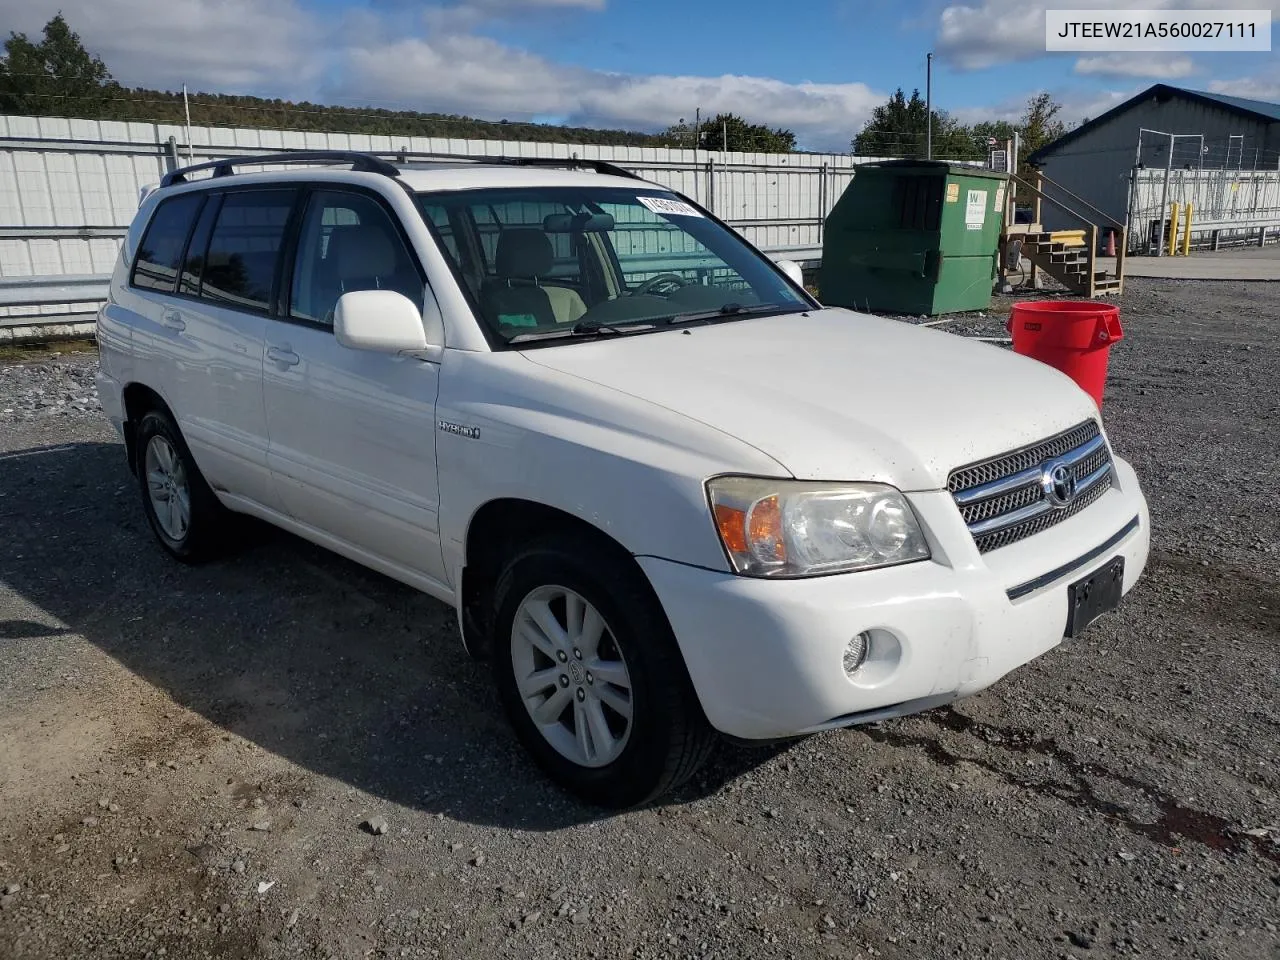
666, 491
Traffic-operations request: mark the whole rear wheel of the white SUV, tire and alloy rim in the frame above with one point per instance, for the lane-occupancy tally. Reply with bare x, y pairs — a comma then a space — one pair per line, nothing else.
185, 515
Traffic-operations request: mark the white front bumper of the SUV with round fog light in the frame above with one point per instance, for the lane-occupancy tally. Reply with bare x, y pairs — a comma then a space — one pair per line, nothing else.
767, 656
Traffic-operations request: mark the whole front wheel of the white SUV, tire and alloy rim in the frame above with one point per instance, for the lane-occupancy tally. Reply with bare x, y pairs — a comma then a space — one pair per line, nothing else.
591, 675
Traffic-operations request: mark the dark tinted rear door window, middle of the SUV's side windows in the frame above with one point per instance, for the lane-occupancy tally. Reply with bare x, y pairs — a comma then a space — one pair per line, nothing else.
245, 249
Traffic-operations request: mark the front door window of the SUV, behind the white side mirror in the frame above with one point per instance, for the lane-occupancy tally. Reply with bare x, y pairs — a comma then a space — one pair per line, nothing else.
349, 243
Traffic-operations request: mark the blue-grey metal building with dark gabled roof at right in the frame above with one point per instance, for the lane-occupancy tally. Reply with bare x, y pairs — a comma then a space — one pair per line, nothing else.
1160, 134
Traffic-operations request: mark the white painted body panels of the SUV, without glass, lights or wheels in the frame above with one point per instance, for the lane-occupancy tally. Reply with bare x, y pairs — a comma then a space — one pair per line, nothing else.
388, 459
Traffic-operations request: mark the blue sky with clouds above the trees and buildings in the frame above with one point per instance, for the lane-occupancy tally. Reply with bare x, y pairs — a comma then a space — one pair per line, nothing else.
817, 67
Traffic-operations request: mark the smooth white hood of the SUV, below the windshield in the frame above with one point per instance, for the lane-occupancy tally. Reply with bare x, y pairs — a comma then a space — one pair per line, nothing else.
840, 396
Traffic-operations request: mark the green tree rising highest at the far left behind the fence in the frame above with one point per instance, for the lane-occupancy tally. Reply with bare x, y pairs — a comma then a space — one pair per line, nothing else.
56, 76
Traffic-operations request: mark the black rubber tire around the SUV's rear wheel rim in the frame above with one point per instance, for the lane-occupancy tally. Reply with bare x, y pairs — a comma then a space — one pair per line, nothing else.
204, 536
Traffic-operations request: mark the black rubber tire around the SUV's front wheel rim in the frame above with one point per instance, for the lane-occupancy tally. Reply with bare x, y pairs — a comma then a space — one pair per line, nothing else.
670, 737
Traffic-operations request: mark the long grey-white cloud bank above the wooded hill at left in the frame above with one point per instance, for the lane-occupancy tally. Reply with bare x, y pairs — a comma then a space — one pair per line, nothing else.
404, 56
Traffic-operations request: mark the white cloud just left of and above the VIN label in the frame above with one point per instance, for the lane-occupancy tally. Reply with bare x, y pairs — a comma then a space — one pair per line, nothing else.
973, 36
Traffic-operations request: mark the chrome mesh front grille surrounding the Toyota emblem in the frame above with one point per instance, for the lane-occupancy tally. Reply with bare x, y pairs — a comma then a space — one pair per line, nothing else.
1003, 500
